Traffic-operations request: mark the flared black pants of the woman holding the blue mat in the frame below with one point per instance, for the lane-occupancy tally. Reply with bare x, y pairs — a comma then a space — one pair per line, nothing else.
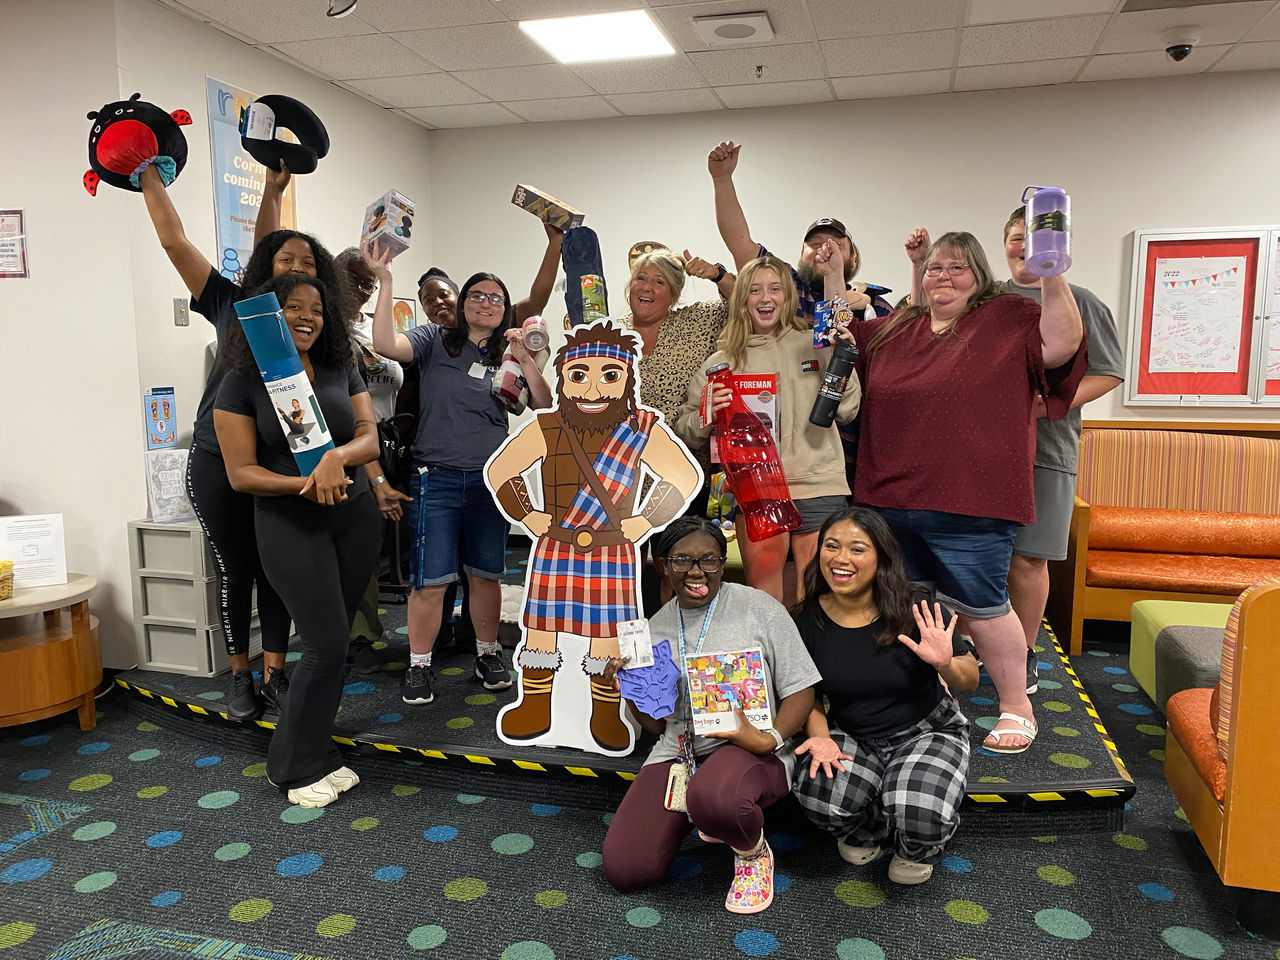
321, 560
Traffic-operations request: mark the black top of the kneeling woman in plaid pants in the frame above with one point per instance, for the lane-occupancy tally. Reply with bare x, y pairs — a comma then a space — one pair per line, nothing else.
872, 691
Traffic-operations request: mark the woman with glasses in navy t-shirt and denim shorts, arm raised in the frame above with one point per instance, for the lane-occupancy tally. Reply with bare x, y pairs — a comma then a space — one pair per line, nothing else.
459, 428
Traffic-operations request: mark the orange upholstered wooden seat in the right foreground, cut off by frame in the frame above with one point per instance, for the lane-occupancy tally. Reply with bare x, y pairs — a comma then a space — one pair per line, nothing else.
1223, 758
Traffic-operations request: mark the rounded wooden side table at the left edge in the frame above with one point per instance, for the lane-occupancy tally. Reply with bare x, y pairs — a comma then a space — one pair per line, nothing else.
51, 659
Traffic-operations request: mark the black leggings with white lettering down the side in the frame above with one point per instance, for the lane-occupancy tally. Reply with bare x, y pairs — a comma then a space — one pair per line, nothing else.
227, 519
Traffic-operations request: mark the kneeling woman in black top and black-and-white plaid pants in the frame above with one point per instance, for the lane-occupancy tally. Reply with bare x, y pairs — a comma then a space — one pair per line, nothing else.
893, 756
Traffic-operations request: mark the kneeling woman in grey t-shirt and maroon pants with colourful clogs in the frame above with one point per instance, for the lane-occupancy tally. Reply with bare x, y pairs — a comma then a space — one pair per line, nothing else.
732, 775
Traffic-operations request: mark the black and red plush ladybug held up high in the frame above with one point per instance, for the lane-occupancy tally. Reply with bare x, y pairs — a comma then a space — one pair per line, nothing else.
131, 135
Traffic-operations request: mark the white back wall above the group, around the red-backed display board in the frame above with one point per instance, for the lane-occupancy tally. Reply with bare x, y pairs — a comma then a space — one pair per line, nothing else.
1181, 153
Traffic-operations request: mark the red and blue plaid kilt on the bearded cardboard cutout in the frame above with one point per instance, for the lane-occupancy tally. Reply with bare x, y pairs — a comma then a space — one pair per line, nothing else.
588, 595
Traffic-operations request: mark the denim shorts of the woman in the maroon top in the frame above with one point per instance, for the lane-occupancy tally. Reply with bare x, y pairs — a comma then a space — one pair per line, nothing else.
966, 559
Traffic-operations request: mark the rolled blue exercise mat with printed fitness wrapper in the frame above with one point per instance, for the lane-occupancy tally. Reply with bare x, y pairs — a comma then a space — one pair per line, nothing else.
286, 381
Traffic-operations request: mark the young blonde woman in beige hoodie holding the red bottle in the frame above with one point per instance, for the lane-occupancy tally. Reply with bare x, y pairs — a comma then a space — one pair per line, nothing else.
765, 336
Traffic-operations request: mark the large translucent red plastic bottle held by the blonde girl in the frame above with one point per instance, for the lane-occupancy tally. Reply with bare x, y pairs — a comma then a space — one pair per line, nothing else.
753, 467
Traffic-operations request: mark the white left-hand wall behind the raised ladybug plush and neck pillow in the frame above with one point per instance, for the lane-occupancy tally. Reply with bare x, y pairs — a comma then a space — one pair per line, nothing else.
94, 326
